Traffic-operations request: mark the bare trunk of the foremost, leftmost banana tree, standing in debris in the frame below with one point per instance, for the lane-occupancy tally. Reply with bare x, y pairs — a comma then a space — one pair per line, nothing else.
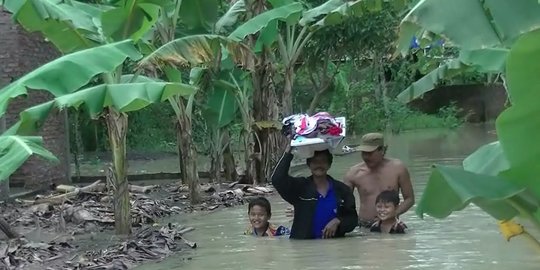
117, 124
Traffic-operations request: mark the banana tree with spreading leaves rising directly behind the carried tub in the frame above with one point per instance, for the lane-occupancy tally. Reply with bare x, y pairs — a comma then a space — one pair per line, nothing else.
298, 26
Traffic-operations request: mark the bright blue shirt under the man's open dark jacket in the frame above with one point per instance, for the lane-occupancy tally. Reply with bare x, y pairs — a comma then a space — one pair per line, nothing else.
325, 211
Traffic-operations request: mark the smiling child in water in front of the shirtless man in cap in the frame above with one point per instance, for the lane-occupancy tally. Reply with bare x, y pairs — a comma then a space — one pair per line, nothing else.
386, 204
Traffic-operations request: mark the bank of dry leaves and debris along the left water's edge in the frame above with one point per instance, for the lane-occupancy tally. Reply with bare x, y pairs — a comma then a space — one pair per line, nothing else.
69, 211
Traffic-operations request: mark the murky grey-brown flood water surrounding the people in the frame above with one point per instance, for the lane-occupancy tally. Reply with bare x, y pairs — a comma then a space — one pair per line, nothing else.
466, 240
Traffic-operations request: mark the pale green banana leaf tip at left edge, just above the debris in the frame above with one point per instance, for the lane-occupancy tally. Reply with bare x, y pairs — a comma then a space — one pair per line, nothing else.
15, 150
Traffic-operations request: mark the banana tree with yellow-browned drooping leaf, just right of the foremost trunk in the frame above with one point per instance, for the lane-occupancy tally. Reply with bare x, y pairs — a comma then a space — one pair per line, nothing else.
193, 21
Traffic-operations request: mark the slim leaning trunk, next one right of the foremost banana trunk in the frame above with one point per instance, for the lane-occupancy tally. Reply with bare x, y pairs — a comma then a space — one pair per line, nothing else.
188, 155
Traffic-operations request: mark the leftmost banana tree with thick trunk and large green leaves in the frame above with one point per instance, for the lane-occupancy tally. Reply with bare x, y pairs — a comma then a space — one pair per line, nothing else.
94, 25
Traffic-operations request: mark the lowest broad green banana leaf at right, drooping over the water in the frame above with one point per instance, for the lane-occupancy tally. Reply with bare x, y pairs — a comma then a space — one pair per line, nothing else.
451, 189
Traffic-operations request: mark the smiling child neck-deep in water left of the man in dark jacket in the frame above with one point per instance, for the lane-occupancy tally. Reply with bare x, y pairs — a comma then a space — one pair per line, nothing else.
259, 213
